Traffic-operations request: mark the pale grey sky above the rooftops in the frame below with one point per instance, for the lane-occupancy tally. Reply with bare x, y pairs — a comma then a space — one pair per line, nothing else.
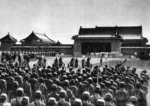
61, 19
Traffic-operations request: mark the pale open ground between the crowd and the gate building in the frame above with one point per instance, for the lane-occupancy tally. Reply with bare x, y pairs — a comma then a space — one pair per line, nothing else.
135, 63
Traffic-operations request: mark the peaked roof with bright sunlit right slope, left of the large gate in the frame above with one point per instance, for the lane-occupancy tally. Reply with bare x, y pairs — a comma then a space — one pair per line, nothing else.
38, 36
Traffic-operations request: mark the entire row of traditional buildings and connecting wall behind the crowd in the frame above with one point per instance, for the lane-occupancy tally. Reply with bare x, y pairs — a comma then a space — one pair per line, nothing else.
126, 40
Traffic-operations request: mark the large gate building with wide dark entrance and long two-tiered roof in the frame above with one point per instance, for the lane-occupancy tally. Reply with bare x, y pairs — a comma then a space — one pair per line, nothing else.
127, 40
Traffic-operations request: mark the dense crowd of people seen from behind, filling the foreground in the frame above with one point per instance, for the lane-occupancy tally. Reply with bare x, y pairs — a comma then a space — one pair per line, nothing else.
87, 86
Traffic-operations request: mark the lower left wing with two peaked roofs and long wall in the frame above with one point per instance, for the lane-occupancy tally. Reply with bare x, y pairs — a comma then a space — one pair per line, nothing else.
35, 43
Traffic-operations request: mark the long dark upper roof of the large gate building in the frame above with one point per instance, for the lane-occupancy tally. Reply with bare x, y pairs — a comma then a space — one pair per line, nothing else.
128, 30
